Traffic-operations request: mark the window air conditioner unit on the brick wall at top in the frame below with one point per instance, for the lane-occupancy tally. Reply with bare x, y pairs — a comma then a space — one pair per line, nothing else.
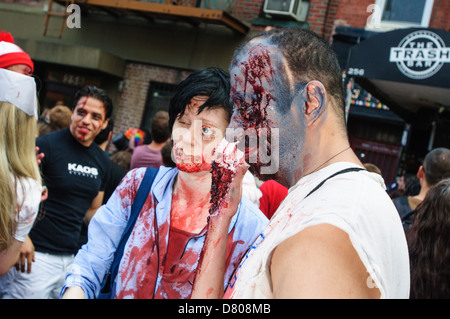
288, 9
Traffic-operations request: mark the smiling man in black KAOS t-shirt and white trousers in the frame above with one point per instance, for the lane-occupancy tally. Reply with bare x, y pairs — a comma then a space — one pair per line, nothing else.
74, 169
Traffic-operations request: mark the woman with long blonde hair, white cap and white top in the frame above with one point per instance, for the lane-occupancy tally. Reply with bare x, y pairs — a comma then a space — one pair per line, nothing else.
20, 180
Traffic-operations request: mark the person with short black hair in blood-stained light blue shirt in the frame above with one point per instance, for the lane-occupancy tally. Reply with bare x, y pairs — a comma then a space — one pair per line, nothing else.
162, 252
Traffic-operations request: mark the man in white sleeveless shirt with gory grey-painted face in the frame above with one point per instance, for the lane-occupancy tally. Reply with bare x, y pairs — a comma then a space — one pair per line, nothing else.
337, 233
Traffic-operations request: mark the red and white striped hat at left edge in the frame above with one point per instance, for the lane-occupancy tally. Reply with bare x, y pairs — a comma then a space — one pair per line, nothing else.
11, 54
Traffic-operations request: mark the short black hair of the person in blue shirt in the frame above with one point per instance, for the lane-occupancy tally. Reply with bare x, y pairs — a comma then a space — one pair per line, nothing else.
213, 82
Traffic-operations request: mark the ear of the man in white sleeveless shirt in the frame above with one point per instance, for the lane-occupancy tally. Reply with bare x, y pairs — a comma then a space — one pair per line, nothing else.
315, 96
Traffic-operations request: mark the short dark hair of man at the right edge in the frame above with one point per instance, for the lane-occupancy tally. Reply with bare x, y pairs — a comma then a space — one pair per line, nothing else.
436, 165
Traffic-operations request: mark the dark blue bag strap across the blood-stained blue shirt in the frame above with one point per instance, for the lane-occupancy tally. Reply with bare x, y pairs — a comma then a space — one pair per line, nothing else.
139, 200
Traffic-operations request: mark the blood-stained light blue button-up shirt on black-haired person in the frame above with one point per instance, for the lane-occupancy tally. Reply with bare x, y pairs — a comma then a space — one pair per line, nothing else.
142, 270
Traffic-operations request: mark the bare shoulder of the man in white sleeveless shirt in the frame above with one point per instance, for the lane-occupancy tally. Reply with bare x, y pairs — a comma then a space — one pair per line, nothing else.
319, 262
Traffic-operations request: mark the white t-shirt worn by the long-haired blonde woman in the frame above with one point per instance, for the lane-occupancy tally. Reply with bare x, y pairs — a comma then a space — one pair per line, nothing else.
28, 198
